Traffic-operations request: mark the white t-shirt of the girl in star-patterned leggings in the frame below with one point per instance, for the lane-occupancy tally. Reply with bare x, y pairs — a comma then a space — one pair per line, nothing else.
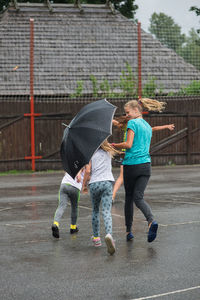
101, 169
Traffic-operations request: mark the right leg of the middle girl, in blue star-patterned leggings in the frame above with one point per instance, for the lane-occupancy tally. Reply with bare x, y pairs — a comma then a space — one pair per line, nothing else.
106, 198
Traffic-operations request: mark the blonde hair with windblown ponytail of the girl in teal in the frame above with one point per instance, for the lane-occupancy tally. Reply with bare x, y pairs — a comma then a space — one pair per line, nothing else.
149, 104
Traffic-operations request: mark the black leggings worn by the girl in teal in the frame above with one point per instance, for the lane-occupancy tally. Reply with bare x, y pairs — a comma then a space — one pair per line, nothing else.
136, 178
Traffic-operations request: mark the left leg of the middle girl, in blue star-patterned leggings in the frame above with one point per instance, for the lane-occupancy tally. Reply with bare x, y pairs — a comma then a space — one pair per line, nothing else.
96, 199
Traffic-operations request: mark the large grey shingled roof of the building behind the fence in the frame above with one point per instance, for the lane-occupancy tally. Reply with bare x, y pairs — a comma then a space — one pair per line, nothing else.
70, 45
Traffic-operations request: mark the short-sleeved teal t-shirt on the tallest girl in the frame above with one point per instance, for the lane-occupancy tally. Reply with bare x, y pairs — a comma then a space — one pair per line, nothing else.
139, 152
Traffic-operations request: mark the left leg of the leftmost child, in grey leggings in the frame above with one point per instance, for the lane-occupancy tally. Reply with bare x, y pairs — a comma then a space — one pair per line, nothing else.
63, 198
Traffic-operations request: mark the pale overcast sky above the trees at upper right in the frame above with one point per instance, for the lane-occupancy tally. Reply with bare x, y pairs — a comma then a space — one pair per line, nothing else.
177, 9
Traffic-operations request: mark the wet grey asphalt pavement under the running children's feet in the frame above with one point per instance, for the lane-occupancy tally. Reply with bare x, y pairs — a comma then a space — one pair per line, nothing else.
34, 265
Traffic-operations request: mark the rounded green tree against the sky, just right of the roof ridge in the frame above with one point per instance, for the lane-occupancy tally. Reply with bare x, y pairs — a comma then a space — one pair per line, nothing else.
166, 31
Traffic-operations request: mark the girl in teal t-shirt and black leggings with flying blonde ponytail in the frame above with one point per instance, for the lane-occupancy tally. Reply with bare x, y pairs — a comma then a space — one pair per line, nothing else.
137, 164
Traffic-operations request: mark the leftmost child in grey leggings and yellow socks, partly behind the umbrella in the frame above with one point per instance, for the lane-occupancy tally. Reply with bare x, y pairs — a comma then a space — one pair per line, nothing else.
69, 191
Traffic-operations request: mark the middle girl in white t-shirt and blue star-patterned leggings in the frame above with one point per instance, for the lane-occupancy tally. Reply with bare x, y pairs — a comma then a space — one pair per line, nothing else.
100, 184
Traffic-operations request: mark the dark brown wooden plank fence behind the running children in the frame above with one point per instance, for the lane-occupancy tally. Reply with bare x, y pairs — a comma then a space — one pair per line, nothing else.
182, 146
